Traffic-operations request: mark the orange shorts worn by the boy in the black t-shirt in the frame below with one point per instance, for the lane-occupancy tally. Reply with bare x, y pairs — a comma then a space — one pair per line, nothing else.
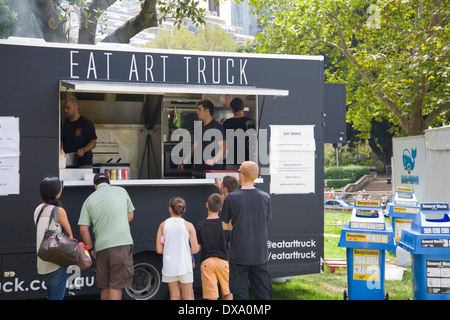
213, 270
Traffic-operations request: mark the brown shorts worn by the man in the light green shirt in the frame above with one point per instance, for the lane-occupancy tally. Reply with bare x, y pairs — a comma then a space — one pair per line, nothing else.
115, 267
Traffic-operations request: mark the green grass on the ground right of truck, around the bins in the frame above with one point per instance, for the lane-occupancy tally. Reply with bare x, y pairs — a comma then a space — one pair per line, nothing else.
329, 286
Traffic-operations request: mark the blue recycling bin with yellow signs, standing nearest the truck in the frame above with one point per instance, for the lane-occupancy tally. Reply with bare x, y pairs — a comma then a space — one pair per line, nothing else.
366, 238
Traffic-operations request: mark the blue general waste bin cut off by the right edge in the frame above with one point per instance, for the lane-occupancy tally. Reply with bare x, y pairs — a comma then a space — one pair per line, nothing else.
428, 241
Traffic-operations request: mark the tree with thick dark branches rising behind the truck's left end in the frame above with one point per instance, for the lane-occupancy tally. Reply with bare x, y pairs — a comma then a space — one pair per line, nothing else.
51, 22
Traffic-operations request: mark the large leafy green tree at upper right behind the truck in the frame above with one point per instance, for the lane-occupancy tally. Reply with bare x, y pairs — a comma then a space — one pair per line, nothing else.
393, 56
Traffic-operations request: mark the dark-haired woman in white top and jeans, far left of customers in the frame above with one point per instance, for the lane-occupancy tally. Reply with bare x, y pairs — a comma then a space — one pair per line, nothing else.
55, 276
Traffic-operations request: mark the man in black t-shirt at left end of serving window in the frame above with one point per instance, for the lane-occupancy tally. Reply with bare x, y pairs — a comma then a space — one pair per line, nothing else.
78, 134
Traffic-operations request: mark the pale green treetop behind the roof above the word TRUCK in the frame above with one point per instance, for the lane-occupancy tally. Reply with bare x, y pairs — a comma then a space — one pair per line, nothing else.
207, 39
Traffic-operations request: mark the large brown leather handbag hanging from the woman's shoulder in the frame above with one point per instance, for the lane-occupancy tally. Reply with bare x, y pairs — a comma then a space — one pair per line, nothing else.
56, 247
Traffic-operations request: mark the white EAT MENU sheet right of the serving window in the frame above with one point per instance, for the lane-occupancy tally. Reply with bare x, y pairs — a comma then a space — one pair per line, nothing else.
292, 159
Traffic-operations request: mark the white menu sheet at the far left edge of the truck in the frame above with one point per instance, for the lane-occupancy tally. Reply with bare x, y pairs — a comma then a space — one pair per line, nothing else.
9, 155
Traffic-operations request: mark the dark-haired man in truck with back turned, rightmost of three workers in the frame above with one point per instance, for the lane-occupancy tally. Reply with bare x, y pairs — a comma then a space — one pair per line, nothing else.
239, 121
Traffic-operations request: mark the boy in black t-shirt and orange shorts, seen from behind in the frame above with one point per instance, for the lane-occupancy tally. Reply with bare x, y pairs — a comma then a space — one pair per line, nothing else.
213, 241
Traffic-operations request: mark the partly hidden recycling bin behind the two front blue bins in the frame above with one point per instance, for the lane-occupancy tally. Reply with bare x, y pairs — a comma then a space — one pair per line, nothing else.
402, 210
